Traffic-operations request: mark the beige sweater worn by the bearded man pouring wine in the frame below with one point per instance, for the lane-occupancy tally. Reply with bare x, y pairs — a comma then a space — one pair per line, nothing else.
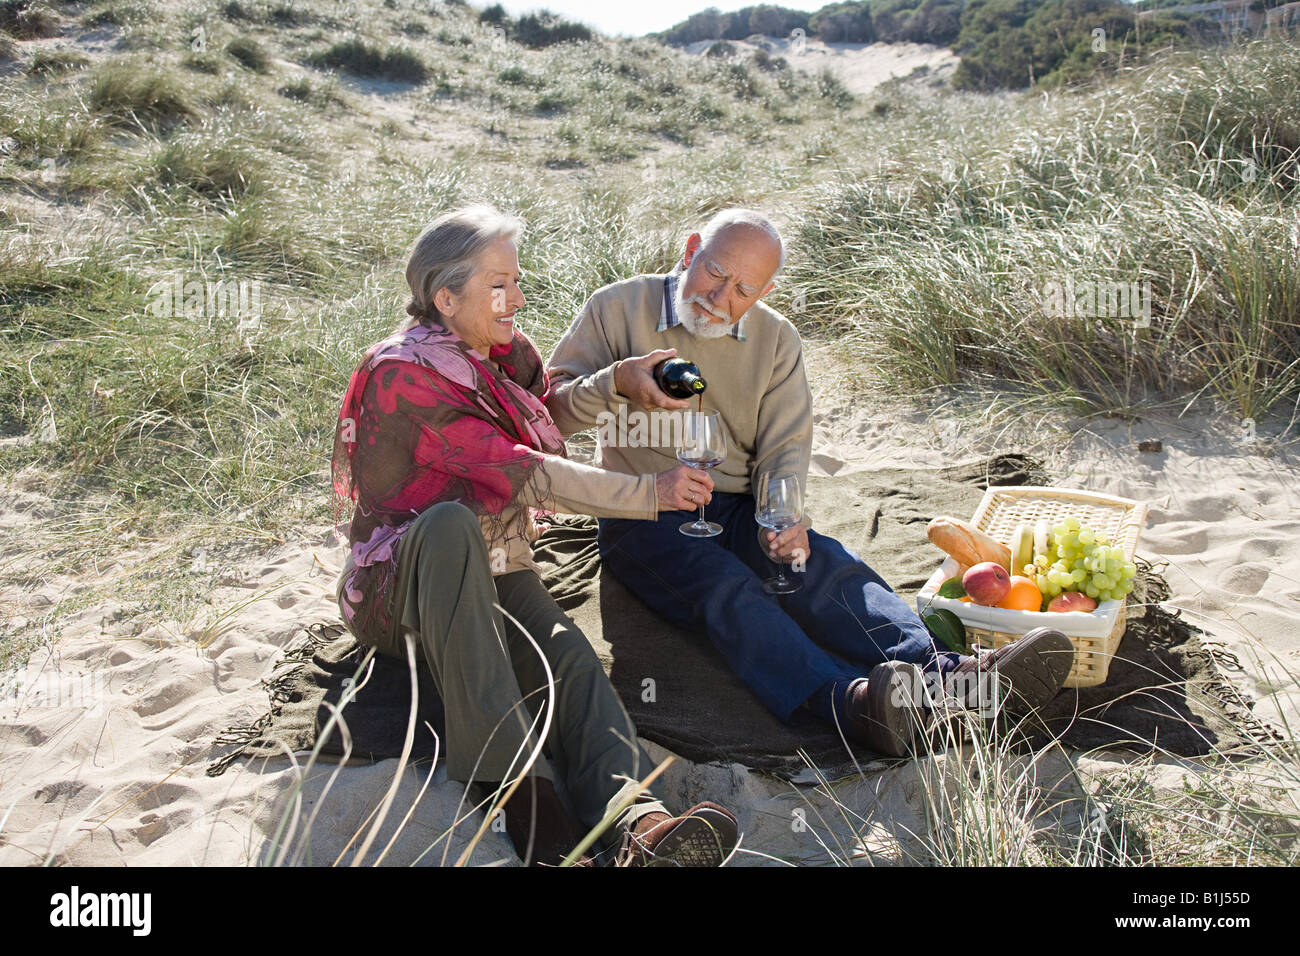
760, 387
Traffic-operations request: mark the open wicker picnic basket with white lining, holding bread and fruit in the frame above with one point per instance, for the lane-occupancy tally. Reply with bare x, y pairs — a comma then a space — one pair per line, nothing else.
1095, 634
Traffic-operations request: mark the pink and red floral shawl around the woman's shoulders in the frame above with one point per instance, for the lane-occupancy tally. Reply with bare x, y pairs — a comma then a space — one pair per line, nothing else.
427, 419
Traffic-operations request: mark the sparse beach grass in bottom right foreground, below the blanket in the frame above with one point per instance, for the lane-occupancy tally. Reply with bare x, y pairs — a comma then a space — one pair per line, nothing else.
985, 799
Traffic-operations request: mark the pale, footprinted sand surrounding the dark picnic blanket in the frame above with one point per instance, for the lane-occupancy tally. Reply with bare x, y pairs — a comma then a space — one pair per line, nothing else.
106, 734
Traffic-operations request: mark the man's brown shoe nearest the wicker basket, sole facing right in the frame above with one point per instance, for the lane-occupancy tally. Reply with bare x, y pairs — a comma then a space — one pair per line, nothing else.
1020, 677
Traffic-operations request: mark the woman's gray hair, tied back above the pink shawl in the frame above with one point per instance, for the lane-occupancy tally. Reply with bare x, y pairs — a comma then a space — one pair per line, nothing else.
447, 254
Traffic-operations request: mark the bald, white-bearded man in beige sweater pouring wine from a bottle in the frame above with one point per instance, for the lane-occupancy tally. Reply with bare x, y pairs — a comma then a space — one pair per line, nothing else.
844, 646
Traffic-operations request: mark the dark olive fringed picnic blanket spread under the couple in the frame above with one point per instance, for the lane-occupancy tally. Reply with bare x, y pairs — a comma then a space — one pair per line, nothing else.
1165, 689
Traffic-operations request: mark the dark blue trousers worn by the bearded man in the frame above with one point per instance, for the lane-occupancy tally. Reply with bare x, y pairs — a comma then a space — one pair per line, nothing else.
842, 624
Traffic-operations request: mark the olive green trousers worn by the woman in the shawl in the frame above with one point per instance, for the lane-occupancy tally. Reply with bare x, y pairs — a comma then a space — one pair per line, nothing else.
492, 680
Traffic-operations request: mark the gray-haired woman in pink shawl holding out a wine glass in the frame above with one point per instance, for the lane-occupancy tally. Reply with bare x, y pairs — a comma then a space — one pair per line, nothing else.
445, 448
